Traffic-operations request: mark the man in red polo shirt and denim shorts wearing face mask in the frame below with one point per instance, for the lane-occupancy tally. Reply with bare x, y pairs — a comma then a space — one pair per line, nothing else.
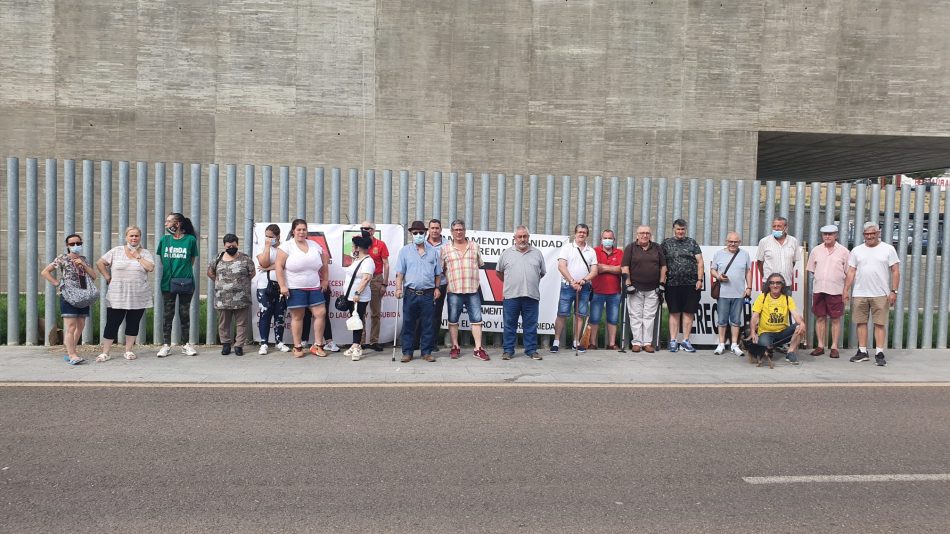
606, 287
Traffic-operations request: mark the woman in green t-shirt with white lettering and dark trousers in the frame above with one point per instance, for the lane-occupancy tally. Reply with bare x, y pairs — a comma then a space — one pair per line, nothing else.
177, 250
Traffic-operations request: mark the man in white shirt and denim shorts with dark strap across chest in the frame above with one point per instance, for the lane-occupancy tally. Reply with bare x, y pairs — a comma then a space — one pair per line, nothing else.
577, 265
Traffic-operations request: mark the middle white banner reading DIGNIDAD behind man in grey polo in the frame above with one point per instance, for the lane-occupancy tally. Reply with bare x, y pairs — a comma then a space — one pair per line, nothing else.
492, 244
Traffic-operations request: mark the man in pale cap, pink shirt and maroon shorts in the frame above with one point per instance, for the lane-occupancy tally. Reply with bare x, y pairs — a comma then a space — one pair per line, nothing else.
828, 263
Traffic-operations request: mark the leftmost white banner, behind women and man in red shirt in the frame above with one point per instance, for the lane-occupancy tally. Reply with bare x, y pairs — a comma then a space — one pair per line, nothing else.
338, 247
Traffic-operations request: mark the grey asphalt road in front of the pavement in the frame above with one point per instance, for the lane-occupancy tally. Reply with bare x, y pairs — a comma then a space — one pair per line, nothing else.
483, 459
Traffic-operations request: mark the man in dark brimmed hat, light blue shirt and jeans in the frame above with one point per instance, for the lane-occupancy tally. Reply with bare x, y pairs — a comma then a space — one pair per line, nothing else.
417, 277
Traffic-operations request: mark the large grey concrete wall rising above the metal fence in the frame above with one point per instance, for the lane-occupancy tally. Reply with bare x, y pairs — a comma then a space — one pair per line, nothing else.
627, 87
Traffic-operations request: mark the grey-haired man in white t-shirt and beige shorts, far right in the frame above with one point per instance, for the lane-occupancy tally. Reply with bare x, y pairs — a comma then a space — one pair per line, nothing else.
874, 277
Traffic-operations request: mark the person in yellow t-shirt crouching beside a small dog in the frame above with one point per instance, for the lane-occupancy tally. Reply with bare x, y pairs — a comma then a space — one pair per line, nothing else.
772, 315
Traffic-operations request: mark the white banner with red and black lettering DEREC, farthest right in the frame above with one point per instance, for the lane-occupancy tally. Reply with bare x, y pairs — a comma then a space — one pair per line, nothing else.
705, 331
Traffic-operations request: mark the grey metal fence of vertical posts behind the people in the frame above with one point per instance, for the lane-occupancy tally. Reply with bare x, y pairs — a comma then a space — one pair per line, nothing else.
911, 218
